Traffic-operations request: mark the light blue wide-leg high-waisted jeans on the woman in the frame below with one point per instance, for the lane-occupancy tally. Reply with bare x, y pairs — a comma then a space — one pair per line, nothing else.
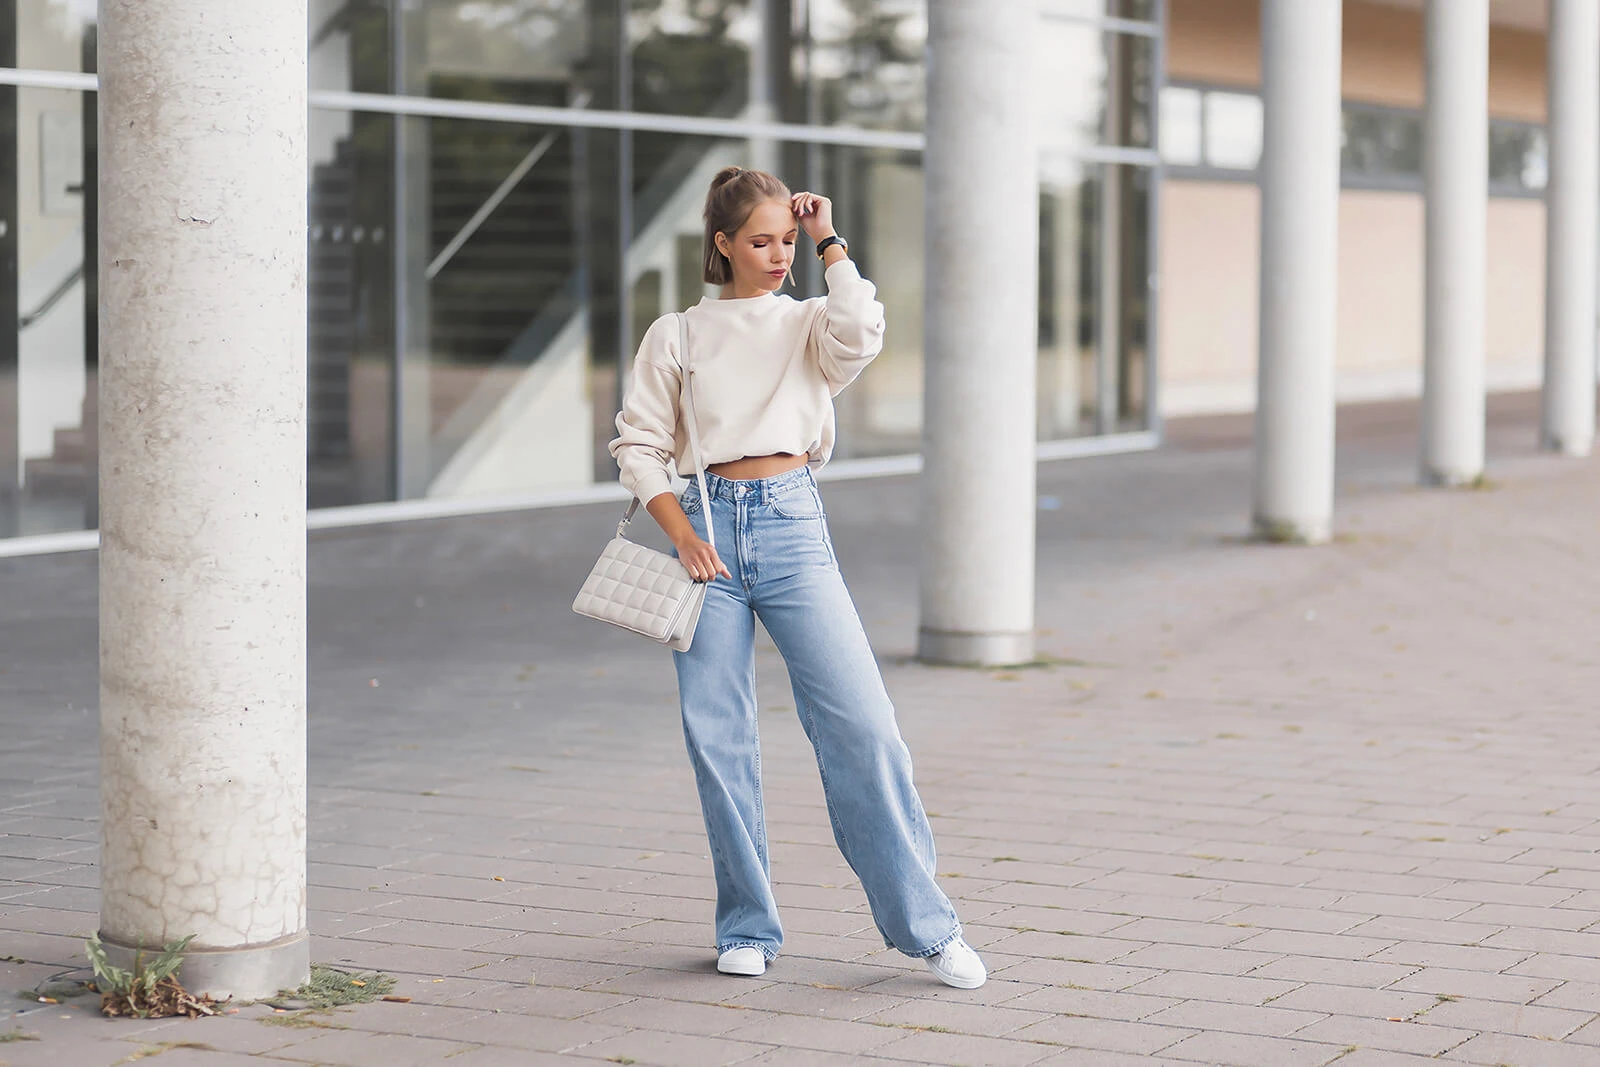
772, 535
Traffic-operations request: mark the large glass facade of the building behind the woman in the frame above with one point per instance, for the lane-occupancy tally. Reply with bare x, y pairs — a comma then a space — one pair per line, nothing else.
506, 193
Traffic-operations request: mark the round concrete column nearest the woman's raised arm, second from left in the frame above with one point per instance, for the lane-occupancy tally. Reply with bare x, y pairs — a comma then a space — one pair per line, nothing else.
982, 313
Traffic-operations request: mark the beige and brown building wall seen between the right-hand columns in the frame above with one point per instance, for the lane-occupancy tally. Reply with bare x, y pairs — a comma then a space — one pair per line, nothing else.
1209, 255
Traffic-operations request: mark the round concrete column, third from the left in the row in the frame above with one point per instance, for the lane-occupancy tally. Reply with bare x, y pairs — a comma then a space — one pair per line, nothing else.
1300, 233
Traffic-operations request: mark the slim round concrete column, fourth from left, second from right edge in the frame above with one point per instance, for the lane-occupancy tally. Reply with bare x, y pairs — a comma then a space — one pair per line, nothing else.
1457, 207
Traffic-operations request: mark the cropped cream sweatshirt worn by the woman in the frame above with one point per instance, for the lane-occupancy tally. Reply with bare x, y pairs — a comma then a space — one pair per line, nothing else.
766, 374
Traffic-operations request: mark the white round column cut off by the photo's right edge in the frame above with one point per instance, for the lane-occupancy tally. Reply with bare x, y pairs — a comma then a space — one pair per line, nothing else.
1572, 228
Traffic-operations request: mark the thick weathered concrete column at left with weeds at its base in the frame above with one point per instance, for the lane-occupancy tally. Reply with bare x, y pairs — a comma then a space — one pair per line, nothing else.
202, 130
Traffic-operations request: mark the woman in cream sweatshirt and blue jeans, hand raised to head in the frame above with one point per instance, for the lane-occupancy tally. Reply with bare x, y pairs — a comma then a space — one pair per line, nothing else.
766, 370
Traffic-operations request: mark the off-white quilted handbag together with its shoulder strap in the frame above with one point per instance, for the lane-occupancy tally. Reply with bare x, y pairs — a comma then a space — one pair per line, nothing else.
641, 589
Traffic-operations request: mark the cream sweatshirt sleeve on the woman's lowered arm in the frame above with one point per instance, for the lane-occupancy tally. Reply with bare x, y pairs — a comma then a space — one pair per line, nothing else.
647, 426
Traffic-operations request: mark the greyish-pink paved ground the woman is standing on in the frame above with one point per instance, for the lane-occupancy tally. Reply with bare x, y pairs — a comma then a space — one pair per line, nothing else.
1263, 805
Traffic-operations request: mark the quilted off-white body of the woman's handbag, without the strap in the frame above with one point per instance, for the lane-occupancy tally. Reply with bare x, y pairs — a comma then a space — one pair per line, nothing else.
642, 591
